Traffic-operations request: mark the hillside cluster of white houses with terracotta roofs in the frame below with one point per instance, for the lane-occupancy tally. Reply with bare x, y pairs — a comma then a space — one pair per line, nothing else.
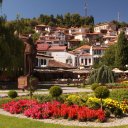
64, 51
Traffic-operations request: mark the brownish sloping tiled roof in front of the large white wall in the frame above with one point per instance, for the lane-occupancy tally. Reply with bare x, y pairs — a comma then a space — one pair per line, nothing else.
56, 64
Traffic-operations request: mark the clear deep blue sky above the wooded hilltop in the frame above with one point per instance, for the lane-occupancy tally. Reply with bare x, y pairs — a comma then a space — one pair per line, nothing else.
102, 10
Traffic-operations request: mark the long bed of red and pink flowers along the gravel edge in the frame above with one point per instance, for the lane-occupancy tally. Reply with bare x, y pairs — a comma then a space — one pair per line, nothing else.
33, 109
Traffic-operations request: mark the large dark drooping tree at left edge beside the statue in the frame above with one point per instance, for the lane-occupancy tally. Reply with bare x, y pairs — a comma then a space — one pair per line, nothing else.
11, 51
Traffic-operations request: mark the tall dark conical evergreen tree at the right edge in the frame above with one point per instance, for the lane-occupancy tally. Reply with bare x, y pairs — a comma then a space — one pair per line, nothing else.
121, 56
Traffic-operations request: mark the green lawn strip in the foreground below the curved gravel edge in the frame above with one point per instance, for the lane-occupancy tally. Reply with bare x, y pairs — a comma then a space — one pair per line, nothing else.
13, 122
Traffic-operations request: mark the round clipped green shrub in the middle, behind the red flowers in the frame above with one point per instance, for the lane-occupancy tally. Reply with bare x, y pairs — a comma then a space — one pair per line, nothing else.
55, 91
